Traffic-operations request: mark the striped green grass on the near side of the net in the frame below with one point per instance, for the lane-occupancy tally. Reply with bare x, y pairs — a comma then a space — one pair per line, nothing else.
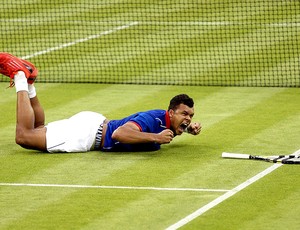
249, 120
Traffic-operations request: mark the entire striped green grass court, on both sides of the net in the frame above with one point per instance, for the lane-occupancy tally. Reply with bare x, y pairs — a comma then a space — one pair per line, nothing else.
184, 45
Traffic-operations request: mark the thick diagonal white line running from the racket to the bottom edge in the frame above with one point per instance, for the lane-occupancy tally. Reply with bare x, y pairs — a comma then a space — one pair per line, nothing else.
220, 199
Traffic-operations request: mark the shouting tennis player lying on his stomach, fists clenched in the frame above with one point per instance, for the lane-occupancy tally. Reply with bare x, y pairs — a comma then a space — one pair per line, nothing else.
87, 131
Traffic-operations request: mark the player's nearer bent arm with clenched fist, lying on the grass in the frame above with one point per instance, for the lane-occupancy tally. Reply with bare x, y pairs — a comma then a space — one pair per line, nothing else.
130, 133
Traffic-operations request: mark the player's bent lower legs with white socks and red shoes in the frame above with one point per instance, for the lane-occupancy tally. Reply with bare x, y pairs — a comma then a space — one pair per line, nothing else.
30, 114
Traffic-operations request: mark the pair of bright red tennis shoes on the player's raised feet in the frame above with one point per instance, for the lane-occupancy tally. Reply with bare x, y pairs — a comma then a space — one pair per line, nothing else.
10, 65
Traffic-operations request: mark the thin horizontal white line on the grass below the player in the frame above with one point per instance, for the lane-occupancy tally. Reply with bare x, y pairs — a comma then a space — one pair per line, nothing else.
114, 187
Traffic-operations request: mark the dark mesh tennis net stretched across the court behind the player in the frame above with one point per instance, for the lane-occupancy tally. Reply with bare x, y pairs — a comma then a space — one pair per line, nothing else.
168, 42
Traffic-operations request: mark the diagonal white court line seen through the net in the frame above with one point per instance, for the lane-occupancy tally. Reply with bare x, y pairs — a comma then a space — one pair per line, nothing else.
80, 40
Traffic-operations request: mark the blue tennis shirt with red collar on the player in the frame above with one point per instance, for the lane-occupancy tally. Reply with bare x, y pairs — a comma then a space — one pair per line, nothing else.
152, 121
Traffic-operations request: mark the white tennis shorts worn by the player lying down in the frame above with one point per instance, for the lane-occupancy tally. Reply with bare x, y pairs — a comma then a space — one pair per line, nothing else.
76, 134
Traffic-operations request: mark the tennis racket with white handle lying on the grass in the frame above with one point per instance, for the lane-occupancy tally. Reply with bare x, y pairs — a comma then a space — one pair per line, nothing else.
284, 159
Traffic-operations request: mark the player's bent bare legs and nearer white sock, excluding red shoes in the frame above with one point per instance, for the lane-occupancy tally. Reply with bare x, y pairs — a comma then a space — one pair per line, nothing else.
27, 135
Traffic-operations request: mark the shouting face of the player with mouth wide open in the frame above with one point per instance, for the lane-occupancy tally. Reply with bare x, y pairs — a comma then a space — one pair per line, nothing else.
181, 118
